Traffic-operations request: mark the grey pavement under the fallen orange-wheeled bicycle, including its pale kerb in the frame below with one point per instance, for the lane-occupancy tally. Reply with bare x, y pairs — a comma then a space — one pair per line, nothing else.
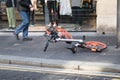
57, 54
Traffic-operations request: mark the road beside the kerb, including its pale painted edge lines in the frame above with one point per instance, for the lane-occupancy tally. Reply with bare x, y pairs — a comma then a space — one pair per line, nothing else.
21, 72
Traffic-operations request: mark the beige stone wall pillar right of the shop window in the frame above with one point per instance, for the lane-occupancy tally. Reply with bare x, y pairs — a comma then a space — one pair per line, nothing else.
106, 16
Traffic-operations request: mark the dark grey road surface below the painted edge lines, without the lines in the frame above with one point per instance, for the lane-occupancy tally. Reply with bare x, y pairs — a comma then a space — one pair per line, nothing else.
22, 75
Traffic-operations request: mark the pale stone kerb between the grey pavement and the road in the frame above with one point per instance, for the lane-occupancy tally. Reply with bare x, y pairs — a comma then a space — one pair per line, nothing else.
62, 64
